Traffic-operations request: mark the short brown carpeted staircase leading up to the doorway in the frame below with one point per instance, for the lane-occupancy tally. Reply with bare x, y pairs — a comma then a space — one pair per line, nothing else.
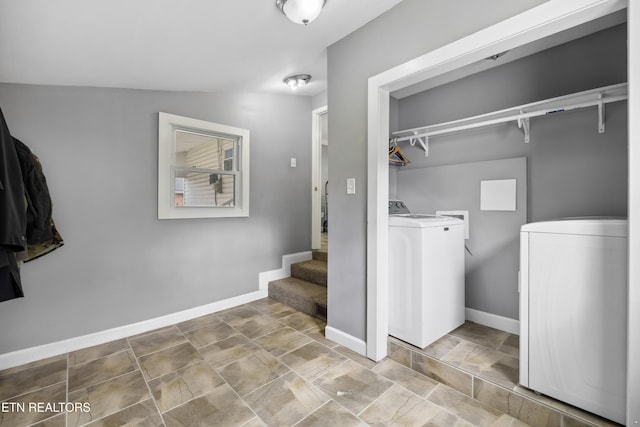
306, 289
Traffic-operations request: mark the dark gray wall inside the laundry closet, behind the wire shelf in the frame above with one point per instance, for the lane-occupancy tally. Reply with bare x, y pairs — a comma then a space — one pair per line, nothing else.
572, 169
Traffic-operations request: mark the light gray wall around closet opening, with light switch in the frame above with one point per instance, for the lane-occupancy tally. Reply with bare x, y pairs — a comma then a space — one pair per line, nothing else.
410, 29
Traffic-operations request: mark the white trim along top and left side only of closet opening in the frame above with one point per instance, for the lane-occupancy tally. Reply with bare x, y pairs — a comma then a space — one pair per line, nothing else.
541, 21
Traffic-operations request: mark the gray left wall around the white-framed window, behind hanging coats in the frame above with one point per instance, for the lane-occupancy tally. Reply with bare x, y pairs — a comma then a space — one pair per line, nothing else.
120, 264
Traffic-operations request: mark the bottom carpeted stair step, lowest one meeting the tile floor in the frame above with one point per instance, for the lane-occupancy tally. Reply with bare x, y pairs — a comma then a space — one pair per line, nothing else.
304, 296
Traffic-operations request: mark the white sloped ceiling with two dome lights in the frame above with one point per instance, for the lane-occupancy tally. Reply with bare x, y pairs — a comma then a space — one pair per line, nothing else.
178, 45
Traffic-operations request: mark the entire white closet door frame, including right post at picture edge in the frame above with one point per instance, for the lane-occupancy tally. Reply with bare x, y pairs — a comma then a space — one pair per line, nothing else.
541, 21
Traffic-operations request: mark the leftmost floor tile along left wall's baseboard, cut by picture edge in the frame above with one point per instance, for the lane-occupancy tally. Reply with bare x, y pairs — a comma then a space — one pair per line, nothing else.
28, 378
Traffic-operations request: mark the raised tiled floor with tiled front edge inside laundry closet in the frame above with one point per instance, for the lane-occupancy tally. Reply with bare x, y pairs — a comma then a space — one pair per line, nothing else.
483, 363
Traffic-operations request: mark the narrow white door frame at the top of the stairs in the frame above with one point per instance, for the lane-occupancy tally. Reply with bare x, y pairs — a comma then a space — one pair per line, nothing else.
316, 174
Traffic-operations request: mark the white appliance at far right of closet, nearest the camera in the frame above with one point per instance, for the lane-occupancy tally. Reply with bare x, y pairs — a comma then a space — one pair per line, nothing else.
573, 312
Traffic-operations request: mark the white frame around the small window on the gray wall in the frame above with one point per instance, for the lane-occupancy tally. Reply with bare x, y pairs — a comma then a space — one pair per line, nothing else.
167, 125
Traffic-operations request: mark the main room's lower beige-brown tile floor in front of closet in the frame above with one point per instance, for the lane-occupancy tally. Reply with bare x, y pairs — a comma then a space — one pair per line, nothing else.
258, 364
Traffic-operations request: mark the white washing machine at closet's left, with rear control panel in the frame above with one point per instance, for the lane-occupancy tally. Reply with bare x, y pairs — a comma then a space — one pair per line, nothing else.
426, 275
